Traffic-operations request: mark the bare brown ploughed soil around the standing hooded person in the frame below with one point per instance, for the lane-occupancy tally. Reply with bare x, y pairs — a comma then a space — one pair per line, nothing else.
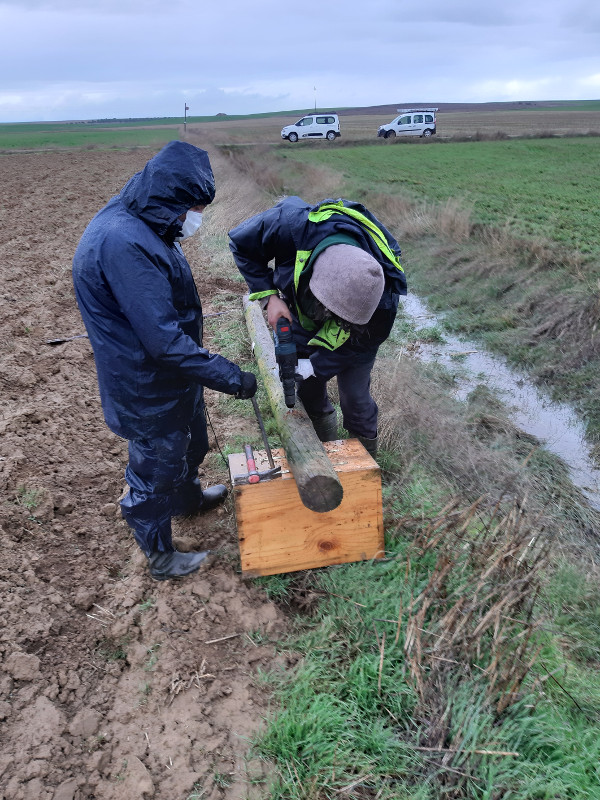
111, 685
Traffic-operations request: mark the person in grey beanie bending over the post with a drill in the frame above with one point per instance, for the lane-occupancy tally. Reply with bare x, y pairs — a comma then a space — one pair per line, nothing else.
336, 276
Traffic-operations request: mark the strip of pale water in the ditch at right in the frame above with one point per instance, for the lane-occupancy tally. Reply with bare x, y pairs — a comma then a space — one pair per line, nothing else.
555, 424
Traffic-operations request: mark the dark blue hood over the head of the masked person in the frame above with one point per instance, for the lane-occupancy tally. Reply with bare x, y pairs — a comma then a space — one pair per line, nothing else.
174, 180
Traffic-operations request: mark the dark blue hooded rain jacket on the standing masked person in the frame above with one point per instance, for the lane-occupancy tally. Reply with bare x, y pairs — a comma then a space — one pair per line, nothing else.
140, 304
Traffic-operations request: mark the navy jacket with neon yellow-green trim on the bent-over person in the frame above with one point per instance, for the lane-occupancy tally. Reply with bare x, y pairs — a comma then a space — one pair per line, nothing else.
279, 233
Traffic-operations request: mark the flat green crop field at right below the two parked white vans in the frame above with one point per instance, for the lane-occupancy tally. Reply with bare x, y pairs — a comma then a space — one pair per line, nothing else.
538, 187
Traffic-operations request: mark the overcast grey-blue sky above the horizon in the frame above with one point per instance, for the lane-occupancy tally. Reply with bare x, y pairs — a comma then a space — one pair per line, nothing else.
70, 59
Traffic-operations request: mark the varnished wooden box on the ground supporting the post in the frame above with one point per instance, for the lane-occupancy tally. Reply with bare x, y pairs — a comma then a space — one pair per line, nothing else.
278, 533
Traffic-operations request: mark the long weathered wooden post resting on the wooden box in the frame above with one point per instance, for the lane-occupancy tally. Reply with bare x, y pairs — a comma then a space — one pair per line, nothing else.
316, 480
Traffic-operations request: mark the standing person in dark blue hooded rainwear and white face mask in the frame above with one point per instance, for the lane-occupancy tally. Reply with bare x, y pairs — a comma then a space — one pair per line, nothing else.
143, 316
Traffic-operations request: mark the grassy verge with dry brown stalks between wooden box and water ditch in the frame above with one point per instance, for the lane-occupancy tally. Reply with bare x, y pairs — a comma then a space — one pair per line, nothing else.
464, 665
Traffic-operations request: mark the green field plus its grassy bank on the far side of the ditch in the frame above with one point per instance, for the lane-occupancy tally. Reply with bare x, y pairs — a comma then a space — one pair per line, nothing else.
494, 286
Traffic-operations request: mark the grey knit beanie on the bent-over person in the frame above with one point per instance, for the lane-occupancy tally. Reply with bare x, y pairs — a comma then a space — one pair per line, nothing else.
348, 281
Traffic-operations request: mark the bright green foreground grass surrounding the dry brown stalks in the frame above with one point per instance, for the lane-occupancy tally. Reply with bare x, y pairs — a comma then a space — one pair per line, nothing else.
347, 715
